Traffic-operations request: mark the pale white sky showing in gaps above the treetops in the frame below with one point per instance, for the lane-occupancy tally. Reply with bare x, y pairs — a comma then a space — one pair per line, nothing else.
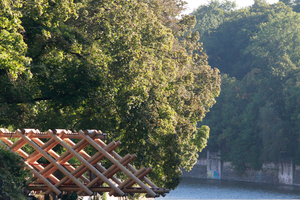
193, 4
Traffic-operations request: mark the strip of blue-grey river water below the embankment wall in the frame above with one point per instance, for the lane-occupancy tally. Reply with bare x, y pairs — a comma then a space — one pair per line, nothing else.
192, 188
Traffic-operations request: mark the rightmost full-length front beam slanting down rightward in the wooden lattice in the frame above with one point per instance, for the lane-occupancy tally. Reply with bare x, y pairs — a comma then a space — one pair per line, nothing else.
107, 155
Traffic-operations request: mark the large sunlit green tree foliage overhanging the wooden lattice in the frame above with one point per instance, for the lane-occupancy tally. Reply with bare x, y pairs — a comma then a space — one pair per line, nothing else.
129, 68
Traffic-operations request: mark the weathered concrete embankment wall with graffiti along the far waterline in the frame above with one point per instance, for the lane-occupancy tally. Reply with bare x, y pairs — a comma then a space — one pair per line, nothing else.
213, 168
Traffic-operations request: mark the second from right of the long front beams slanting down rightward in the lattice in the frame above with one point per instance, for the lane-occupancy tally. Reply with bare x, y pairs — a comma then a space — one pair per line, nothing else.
87, 164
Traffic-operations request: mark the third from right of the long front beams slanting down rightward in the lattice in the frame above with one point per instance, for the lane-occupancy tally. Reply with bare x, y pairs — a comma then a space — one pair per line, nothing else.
51, 160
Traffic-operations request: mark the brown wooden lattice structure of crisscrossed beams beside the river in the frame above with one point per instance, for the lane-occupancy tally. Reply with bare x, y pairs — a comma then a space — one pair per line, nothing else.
74, 176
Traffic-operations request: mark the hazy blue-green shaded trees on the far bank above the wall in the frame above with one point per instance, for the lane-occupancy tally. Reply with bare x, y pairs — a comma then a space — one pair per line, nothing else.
256, 119
